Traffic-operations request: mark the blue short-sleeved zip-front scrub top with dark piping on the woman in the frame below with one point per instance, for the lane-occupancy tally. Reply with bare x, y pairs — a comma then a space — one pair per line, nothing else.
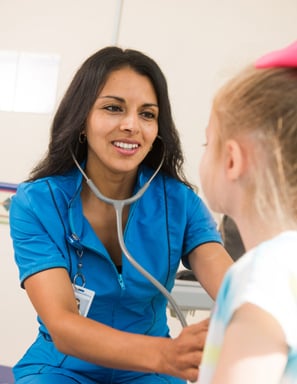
49, 230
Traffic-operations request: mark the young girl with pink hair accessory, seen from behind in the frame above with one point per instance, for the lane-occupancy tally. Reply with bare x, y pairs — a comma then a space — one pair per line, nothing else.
249, 172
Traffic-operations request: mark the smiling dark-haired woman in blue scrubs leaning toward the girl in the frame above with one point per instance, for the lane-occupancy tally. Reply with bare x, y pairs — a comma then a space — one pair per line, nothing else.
100, 320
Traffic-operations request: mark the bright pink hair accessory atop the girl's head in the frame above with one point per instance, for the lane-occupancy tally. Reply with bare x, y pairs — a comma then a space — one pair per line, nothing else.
286, 57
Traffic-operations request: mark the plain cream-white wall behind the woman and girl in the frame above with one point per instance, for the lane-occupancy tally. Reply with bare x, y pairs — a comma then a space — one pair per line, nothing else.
197, 43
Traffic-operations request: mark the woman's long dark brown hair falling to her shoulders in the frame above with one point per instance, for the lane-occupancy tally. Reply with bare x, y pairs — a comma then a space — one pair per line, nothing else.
71, 116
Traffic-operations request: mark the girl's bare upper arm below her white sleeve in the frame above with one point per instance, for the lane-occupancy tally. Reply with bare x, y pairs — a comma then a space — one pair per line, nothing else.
254, 349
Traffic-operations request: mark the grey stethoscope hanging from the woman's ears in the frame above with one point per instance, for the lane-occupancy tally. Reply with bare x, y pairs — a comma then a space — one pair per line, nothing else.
118, 206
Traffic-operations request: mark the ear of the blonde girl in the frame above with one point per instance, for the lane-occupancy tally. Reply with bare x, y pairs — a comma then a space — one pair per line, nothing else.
234, 159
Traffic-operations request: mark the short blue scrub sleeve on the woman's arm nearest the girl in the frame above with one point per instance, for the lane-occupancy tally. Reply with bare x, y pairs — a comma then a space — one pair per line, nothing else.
201, 227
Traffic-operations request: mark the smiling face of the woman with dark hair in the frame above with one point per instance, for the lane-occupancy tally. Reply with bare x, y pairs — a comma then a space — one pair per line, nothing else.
123, 122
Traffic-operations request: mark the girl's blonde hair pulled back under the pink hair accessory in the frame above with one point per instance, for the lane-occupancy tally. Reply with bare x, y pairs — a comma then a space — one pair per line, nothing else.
261, 104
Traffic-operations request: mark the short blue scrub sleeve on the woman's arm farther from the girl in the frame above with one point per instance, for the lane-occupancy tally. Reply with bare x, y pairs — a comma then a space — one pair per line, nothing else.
34, 249
